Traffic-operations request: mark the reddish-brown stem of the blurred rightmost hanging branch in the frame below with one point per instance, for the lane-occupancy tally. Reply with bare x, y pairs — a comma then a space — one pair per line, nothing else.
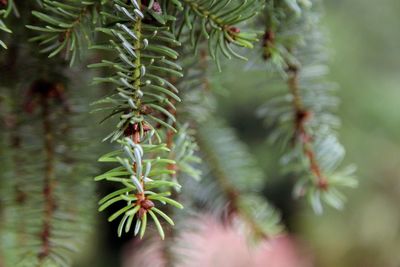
302, 115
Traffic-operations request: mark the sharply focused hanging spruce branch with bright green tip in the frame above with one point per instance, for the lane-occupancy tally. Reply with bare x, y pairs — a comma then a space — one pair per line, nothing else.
141, 39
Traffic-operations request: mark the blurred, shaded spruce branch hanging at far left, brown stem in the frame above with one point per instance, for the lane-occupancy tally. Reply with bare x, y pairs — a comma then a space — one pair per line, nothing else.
54, 213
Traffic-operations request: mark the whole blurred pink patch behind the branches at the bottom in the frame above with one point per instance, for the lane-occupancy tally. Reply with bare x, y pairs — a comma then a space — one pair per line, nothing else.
213, 244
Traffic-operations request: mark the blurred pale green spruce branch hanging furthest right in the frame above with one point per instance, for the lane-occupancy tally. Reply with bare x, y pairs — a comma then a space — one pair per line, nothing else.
294, 46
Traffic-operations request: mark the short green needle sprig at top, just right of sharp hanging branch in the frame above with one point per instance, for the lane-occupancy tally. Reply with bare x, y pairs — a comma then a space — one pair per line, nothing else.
216, 22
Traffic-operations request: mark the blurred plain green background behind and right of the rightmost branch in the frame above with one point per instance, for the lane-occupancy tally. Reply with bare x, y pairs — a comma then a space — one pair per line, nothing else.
365, 61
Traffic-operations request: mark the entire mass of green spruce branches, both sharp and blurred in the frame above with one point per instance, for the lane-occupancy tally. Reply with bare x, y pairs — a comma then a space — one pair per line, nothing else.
168, 147
